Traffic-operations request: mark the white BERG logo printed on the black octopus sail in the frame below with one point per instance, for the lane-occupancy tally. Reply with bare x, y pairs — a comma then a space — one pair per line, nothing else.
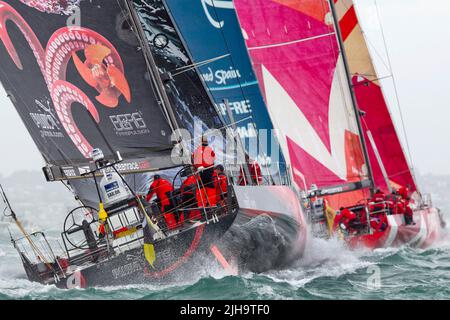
129, 124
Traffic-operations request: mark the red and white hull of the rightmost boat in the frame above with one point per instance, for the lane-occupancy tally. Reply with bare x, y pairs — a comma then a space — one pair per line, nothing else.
428, 228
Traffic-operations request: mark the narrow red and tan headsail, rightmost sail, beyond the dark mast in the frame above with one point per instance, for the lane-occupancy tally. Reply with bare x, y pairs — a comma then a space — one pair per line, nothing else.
370, 99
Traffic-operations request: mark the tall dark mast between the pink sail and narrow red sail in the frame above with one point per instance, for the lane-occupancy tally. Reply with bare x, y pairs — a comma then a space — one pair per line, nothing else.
352, 93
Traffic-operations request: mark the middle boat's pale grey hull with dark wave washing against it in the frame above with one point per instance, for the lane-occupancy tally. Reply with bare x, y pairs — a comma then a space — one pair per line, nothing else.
270, 231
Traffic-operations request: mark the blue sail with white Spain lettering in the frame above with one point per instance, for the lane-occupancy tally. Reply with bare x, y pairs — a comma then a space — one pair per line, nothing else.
223, 61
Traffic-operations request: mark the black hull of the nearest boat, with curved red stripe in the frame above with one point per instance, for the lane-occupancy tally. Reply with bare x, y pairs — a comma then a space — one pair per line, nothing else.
175, 257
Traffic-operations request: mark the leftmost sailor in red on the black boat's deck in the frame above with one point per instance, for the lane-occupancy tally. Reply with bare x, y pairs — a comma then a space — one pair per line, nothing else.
163, 189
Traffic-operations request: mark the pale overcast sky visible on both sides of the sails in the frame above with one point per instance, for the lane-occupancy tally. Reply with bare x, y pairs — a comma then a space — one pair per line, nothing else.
417, 35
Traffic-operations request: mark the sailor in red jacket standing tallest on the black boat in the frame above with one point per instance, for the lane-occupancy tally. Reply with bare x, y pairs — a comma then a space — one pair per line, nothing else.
203, 161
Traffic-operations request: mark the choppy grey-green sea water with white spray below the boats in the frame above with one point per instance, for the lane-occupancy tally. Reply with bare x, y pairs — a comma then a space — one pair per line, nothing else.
327, 271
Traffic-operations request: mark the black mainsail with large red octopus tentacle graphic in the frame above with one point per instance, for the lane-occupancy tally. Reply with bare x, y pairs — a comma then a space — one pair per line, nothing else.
84, 86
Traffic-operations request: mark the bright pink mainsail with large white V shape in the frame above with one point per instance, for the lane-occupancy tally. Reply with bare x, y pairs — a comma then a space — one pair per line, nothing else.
297, 59
